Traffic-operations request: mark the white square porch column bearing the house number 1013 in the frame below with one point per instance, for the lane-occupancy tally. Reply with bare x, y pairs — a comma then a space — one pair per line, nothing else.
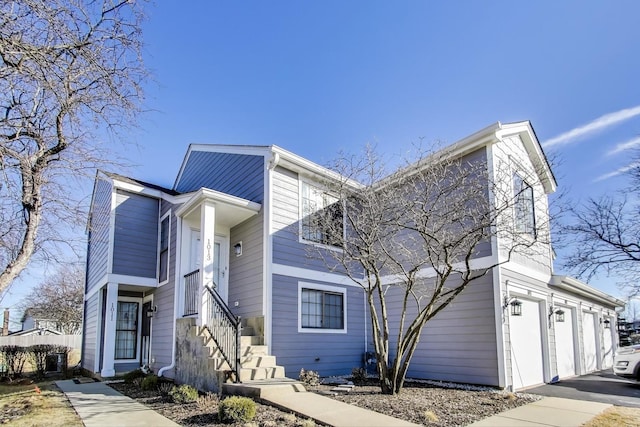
207, 230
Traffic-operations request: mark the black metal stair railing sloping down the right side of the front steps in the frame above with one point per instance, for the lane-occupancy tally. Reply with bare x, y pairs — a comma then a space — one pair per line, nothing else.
225, 330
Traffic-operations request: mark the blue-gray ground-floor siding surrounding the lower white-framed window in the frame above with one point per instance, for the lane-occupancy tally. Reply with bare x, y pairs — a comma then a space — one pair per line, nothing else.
337, 354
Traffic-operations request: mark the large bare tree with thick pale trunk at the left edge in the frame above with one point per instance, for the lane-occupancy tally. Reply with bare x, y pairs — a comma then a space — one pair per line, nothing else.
69, 70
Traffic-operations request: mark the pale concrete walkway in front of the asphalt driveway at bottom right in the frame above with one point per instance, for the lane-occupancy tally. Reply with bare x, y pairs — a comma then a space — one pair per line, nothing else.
550, 411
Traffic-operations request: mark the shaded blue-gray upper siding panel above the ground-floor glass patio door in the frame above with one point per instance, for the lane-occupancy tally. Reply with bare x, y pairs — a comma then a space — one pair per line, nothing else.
136, 235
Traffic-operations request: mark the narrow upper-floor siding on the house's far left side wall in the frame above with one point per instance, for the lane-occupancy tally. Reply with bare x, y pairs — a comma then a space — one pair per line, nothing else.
98, 240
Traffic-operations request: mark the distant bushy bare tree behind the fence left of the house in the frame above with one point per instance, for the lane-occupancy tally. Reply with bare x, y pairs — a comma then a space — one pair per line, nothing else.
59, 299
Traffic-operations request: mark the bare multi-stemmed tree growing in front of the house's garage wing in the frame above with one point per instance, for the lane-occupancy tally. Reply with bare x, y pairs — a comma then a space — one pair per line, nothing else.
411, 238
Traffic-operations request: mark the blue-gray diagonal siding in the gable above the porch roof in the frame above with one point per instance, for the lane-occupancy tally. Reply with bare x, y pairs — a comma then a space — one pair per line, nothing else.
238, 174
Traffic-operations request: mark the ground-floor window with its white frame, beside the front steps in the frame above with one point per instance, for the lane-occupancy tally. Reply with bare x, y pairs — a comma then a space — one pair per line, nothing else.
322, 308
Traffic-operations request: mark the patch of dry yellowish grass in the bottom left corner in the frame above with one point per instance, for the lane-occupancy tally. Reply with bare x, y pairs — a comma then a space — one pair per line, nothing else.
35, 404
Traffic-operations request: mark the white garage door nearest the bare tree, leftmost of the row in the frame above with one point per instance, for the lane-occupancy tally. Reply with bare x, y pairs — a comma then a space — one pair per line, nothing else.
526, 346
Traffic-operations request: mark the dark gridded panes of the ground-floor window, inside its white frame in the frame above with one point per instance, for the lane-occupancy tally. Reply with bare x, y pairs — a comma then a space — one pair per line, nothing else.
321, 309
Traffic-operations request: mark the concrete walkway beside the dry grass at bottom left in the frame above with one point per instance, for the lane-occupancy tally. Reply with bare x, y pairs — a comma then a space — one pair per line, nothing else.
99, 405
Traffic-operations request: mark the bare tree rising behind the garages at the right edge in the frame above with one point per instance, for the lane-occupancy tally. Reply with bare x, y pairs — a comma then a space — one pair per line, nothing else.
604, 236
